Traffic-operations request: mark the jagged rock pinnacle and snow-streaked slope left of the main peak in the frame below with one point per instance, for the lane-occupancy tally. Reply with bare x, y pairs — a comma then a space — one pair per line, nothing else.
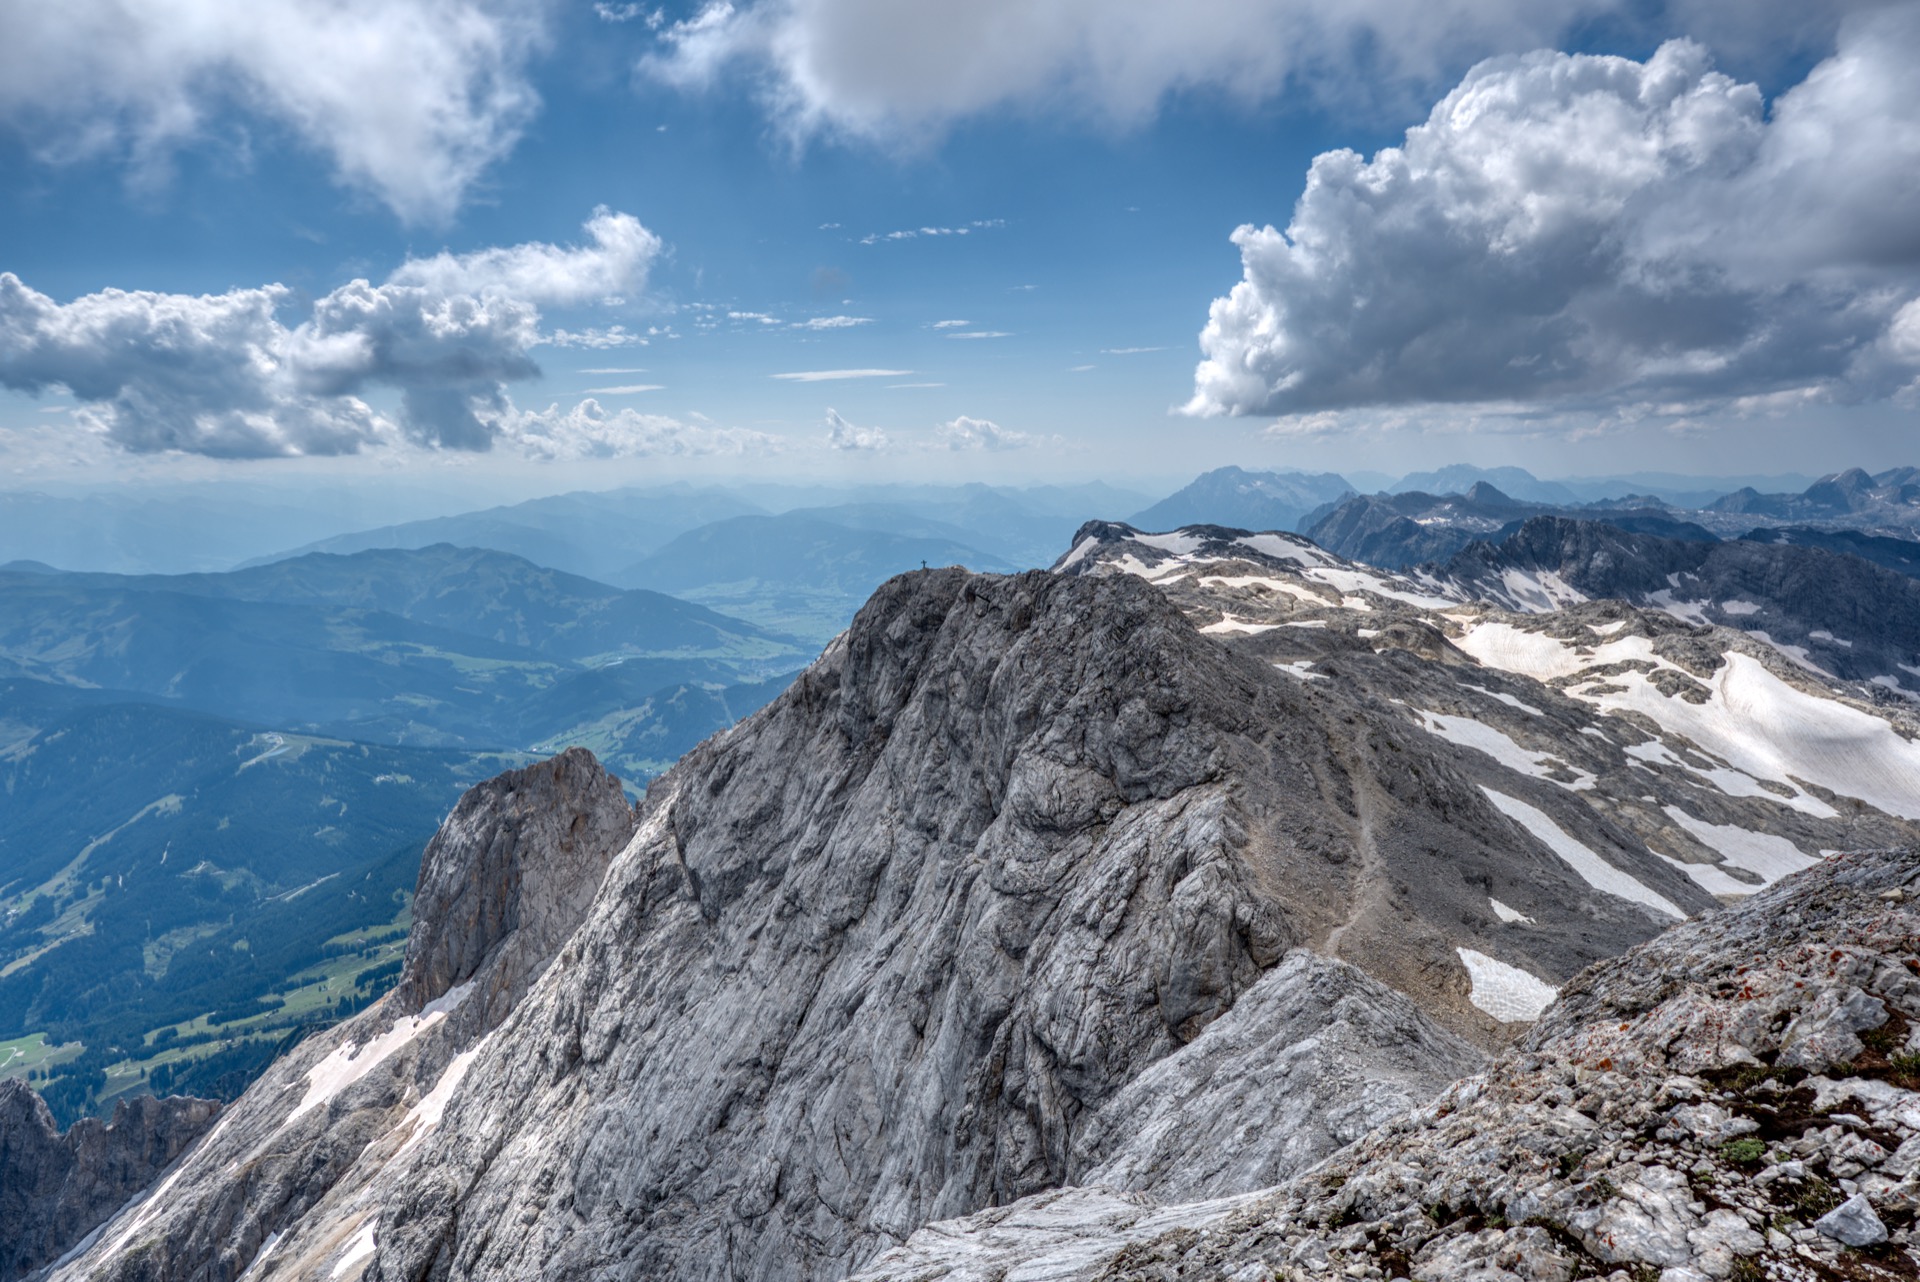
295, 1168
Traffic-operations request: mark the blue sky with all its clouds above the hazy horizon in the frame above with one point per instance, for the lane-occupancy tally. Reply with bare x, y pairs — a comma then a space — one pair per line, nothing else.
535, 245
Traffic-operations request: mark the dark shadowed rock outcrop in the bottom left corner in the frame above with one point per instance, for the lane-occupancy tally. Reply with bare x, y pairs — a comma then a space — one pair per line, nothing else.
57, 1187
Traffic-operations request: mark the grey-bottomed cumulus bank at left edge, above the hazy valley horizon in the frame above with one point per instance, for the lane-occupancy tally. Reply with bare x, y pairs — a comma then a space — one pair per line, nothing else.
226, 375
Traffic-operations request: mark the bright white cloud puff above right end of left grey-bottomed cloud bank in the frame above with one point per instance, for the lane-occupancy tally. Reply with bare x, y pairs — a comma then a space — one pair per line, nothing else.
539, 273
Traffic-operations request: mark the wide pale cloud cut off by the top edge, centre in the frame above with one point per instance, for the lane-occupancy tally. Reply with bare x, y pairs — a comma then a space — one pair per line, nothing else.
905, 70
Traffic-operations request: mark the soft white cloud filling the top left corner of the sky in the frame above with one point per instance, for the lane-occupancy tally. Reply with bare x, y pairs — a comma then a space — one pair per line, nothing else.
410, 99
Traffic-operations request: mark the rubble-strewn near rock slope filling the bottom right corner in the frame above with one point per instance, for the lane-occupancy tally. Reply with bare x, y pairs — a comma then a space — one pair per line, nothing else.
1739, 1099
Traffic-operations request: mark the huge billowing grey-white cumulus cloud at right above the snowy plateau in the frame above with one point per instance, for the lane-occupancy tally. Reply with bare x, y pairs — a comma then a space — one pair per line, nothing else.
1595, 229
